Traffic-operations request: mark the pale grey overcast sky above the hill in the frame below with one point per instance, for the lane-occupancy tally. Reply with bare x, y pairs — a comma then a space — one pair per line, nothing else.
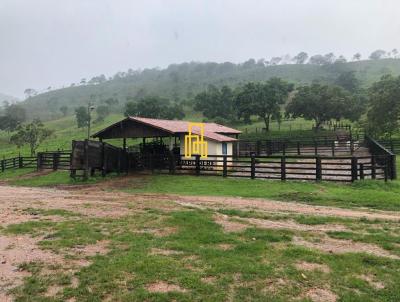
53, 42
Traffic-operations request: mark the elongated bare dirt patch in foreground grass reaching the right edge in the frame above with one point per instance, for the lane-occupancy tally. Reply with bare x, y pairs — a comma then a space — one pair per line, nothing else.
337, 246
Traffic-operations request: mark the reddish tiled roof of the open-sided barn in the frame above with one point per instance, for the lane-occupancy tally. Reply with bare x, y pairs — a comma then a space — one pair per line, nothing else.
212, 131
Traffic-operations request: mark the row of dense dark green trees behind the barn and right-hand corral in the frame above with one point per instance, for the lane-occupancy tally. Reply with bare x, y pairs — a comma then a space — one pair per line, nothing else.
277, 98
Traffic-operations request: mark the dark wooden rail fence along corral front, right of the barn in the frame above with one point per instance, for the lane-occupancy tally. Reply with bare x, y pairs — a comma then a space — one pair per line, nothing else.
317, 168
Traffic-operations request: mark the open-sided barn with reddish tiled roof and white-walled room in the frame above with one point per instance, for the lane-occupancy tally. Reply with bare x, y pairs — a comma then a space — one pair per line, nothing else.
160, 135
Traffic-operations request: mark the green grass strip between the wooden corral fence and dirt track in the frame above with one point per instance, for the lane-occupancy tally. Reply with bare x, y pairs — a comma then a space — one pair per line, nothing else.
370, 194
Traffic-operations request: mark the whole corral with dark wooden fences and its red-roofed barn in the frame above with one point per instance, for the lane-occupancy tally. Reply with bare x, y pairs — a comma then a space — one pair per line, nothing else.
336, 158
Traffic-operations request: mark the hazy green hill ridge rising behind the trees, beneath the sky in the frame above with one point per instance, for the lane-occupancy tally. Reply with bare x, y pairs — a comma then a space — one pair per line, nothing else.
183, 81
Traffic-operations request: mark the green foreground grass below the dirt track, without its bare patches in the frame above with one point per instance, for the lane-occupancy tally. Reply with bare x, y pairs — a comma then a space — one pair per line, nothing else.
259, 265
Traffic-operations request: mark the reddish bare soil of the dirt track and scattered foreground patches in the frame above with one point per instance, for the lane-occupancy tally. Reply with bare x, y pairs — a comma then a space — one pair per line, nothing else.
93, 201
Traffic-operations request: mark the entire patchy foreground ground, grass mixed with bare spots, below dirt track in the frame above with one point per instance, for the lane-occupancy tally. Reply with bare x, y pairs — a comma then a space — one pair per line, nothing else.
161, 251
